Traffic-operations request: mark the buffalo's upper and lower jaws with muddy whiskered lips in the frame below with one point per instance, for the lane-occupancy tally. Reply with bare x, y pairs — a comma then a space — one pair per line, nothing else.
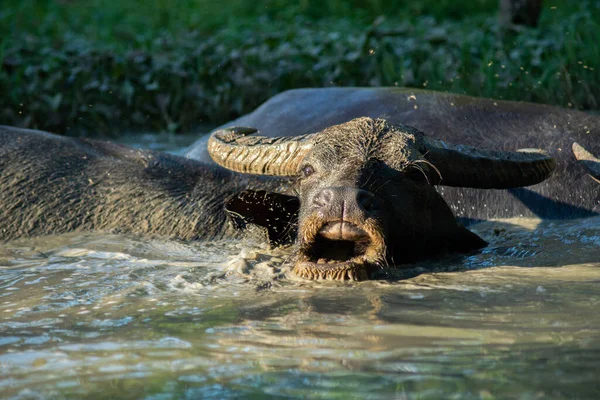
339, 249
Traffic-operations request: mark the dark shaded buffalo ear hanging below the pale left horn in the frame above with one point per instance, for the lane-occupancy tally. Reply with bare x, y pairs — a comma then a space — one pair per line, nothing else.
274, 212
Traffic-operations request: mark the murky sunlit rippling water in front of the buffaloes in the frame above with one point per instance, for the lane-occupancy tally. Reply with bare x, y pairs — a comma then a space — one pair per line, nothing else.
111, 316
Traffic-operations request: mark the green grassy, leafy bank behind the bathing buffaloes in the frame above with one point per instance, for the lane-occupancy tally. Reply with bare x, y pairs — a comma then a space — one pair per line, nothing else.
77, 66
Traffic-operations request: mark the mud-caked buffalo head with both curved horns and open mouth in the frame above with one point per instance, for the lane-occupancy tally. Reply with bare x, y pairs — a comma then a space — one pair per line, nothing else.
366, 192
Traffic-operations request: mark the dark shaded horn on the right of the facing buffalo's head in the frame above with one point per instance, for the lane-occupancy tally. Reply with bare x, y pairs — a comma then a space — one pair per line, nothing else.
467, 166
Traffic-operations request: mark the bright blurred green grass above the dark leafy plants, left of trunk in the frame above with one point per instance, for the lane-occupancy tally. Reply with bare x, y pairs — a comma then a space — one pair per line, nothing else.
117, 21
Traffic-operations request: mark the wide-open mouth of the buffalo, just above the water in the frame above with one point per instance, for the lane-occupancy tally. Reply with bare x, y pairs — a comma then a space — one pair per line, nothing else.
339, 251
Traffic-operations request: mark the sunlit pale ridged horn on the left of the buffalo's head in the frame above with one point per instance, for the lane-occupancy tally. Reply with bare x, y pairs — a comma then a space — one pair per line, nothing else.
233, 149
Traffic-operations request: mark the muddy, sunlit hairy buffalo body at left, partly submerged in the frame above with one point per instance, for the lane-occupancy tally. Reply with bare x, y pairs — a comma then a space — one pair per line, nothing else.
54, 184
